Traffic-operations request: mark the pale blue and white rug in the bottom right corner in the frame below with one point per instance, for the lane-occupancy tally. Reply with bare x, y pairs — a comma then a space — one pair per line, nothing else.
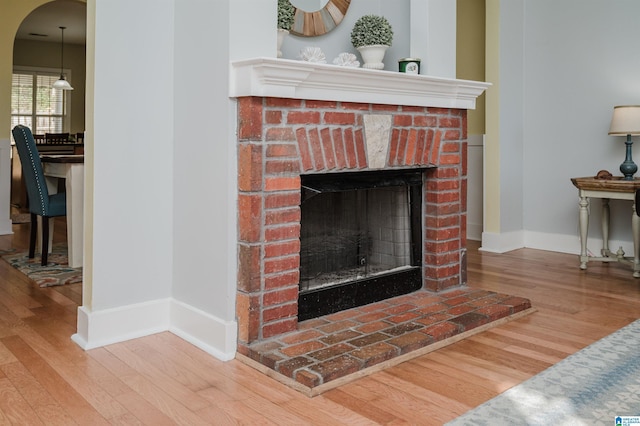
599, 385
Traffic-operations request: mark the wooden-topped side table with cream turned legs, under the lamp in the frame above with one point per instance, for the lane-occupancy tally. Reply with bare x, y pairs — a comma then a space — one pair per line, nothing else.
606, 189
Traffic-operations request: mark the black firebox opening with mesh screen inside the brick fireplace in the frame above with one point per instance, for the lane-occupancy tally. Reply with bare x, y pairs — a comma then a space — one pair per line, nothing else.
360, 239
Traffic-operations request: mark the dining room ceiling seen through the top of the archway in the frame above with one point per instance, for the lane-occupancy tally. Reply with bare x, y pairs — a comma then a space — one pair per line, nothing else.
44, 22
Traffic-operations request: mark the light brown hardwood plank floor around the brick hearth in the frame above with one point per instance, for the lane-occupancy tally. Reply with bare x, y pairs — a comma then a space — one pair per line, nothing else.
162, 380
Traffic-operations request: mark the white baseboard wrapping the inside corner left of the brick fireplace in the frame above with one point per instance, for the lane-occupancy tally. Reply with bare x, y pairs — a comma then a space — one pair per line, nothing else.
100, 328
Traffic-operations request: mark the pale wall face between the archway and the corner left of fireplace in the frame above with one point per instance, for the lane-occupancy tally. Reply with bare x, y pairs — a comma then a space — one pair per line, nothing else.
133, 141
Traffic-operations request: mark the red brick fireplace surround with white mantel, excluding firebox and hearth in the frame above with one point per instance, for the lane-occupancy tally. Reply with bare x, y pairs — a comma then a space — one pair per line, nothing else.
400, 122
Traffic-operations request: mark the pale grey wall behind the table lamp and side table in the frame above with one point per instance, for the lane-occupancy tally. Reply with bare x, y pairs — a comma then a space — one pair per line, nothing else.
580, 59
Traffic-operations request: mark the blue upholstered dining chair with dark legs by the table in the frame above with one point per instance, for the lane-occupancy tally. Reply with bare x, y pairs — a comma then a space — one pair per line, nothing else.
40, 202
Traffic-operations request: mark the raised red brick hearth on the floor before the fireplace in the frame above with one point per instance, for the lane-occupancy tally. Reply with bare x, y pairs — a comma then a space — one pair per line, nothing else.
345, 344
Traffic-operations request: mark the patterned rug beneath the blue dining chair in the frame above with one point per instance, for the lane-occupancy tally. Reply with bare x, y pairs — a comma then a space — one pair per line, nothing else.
57, 272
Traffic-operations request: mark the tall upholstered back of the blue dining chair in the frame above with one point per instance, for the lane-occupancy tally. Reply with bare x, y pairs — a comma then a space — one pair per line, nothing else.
32, 171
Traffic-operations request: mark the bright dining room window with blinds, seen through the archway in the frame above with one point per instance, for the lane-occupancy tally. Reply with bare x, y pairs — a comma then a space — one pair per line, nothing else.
34, 102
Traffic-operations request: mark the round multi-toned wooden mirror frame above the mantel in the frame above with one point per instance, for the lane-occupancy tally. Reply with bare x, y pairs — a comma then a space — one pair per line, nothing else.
313, 24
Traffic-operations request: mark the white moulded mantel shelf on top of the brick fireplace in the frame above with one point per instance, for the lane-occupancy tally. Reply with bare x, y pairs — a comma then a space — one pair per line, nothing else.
285, 78
